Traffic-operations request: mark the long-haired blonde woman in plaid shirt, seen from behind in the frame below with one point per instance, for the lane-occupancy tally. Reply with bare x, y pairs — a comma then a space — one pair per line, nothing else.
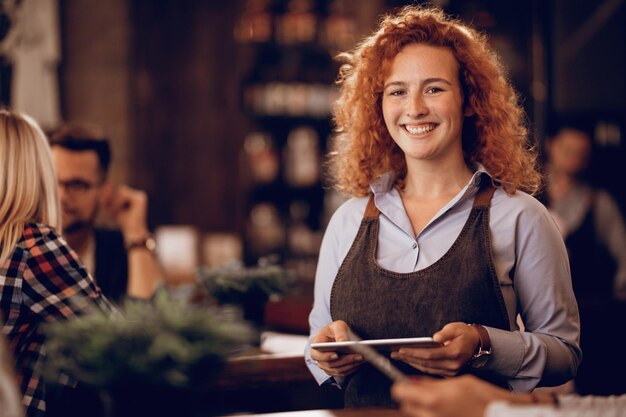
41, 278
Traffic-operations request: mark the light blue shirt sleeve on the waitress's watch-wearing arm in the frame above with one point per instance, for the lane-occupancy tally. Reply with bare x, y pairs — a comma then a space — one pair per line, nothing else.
547, 352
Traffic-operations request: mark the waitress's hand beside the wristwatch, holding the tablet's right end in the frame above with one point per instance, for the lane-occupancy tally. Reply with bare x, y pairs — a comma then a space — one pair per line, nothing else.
460, 342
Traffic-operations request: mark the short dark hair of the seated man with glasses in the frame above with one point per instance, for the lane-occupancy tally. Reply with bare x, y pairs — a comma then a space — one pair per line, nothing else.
82, 137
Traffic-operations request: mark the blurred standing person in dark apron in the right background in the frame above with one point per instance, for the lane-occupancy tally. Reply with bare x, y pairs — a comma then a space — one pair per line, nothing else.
593, 229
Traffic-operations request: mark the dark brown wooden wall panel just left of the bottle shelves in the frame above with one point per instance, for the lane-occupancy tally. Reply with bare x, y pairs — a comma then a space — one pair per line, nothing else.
187, 116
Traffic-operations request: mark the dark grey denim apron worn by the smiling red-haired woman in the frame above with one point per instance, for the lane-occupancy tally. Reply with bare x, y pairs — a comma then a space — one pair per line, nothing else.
377, 303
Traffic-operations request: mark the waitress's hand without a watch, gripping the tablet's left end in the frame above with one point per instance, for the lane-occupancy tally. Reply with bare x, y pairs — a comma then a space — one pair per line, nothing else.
331, 362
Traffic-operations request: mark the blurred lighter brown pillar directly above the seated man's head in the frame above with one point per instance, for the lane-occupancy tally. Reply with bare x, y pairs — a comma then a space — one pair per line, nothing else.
95, 73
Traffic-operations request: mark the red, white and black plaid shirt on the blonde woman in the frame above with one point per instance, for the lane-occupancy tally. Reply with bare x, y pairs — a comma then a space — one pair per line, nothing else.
42, 281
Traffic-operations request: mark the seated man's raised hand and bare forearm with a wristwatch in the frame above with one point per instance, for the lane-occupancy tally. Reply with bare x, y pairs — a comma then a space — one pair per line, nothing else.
129, 209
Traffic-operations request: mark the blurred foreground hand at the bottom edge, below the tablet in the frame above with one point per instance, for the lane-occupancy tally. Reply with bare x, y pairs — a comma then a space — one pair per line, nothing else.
465, 396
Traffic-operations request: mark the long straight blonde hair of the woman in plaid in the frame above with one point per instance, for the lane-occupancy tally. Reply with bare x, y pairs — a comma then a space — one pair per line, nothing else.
28, 185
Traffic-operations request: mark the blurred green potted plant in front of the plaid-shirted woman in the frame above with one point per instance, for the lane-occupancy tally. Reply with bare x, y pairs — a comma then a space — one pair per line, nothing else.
152, 359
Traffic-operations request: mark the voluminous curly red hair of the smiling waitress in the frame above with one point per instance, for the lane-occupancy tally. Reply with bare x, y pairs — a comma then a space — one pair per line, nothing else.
495, 135
